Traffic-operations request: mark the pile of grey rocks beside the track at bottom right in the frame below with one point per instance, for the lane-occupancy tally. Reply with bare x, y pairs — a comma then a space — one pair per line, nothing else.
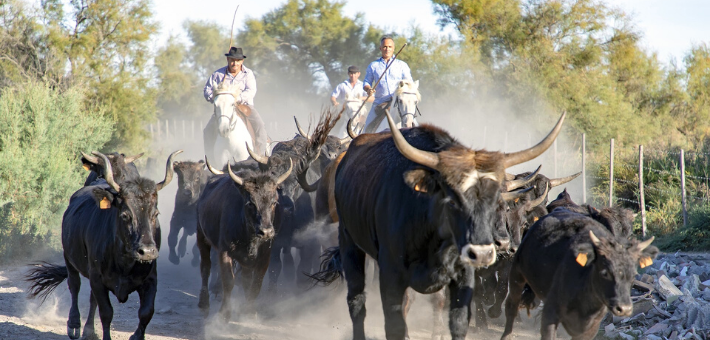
671, 301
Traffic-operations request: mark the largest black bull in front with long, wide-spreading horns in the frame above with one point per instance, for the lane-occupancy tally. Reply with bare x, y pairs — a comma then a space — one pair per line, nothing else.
424, 207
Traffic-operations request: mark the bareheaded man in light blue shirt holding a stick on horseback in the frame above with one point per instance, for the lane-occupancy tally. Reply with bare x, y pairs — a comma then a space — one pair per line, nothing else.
398, 71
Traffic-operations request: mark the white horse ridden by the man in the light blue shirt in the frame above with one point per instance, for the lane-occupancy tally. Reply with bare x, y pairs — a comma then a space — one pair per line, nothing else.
403, 106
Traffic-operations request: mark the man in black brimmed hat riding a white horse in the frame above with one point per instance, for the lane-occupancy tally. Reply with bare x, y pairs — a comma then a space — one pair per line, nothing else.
236, 74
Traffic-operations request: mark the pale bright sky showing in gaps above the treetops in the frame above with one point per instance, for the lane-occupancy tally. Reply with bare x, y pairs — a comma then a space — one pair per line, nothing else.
670, 27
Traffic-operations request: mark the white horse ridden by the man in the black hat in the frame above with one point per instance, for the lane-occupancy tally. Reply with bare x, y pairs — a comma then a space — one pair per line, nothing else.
233, 135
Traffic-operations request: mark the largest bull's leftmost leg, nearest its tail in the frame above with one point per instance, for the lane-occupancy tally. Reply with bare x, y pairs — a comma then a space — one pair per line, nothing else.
354, 269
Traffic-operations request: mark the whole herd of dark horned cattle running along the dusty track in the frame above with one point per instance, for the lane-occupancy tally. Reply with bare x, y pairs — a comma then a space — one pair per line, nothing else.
436, 217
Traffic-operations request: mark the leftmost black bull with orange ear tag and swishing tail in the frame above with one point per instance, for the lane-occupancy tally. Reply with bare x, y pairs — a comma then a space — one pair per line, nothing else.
111, 235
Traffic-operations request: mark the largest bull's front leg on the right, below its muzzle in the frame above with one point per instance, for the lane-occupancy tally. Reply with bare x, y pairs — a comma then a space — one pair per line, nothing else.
460, 293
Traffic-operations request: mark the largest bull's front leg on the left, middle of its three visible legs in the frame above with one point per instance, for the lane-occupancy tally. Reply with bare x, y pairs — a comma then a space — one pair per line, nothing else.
393, 294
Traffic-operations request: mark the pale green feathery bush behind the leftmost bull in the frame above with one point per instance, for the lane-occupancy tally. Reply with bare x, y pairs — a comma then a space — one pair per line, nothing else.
42, 131
